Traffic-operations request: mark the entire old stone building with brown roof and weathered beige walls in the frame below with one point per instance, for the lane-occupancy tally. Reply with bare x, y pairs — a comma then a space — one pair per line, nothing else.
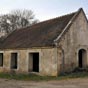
48, 48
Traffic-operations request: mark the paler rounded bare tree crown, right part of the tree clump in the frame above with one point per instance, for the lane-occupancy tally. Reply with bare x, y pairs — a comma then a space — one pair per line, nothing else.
23, 17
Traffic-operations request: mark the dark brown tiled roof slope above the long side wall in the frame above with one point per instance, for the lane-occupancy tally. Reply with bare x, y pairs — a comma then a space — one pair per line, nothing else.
39, 35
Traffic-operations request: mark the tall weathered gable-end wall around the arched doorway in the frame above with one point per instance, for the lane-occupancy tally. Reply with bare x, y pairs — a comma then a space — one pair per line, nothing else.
76, 38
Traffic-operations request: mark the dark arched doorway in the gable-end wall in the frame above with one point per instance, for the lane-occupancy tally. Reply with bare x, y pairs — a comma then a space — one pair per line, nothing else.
82, 58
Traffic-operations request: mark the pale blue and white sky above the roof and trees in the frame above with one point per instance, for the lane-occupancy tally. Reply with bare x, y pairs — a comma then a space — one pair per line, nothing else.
44, 9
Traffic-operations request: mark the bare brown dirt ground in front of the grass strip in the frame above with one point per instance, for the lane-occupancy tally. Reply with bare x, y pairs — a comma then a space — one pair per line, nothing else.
70, 83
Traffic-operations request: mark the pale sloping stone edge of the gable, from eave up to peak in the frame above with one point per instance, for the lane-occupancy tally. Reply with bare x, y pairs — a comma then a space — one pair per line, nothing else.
69, 24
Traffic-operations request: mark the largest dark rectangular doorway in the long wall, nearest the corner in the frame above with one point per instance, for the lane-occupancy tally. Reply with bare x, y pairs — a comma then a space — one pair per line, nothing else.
34, 62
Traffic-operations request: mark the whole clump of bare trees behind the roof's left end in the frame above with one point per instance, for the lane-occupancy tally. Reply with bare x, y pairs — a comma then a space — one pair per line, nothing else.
17, 19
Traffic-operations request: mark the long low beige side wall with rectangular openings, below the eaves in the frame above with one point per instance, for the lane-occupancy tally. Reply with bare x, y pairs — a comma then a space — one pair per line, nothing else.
47, 61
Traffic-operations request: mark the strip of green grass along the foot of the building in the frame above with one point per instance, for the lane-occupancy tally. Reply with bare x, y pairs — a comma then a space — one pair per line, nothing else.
33, 77
